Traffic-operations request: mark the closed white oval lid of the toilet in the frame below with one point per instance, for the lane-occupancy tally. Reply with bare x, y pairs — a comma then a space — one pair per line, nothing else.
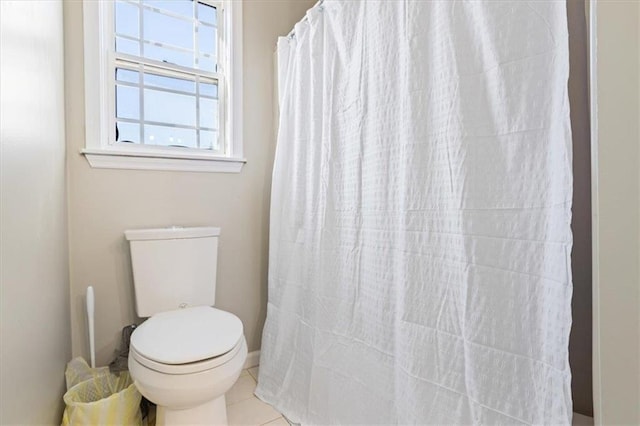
187, 335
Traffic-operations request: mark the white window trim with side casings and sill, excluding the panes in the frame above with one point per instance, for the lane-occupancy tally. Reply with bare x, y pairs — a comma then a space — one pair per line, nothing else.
99, 98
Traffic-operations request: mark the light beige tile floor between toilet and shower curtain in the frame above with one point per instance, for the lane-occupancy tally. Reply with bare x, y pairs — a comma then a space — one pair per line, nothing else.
243, 408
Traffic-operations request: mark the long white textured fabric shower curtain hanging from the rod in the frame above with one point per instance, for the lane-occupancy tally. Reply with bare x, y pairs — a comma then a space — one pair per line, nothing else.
419, 263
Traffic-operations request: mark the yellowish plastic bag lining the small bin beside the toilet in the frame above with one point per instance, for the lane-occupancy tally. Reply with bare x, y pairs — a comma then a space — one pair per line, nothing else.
97, 397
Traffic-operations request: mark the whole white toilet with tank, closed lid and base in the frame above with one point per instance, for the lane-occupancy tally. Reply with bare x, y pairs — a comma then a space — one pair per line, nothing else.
187, 354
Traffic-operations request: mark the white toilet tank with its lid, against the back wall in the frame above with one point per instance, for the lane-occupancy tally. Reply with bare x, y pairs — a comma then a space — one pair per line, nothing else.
173, 267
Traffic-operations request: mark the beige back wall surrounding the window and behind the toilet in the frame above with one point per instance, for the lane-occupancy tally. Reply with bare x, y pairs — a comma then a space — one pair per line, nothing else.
103, 203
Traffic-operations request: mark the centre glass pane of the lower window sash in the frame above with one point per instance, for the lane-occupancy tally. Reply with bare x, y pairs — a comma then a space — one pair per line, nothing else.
169, 108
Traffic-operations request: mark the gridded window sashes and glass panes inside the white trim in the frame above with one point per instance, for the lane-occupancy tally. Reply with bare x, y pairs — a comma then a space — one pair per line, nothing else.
168, 86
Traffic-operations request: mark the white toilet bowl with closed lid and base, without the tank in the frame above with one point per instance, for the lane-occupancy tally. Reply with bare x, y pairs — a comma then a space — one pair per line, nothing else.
185, 361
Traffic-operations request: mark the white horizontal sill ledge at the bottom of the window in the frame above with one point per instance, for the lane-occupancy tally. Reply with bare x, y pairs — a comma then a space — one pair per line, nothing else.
186, 162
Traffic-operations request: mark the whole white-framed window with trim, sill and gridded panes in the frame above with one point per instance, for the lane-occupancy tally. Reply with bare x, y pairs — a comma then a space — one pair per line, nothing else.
163, 84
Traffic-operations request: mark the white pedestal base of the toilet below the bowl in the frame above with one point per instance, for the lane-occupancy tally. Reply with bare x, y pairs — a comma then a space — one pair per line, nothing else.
211, 413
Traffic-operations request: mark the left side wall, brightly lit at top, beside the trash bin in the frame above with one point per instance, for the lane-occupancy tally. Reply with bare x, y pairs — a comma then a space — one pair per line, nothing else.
34, 286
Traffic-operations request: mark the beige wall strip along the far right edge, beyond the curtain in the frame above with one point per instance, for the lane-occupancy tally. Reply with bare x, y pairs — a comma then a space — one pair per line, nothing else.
617, 213
